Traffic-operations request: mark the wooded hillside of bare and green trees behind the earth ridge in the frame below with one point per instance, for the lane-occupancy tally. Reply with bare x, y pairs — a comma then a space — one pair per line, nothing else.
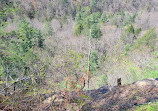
48, 46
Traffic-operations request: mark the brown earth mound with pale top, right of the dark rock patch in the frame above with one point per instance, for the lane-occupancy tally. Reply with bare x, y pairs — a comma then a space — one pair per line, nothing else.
125, 97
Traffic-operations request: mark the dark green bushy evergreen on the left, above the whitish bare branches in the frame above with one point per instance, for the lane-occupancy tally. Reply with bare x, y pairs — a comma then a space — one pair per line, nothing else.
29, 36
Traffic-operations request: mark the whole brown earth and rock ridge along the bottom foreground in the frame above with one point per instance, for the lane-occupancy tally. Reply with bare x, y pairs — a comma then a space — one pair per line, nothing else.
109, 99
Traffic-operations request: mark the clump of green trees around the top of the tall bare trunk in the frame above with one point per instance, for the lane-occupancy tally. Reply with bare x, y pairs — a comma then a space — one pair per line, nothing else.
85, 21
